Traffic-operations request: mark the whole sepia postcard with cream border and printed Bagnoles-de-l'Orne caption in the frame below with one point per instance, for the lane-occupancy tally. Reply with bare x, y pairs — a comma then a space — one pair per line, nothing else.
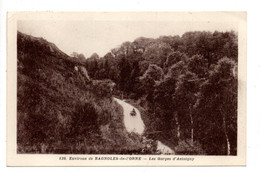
126, 88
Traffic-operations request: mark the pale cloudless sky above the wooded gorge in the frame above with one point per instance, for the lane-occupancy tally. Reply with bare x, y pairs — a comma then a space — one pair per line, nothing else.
88, 37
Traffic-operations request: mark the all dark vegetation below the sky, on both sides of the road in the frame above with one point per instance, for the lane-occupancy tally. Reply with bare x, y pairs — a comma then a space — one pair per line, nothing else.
186, 87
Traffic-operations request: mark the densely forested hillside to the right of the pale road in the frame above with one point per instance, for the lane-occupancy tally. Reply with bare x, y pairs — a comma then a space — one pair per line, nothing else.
186, 87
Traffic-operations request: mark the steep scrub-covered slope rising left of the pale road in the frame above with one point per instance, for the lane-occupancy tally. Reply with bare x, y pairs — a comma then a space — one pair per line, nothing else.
61, 110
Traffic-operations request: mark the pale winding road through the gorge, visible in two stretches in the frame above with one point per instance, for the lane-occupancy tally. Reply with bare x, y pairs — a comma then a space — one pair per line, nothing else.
135, 124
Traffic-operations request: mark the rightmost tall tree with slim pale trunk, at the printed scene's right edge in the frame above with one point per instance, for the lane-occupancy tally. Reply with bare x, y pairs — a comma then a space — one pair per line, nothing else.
218, 109
